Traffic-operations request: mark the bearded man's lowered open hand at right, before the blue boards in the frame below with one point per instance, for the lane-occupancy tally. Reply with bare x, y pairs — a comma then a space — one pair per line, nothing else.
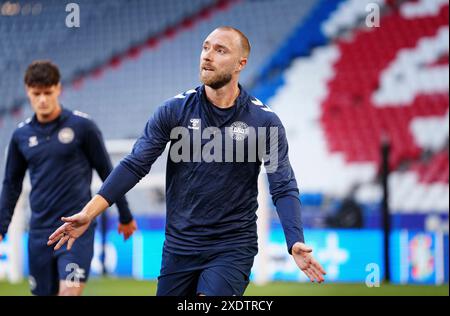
306, 262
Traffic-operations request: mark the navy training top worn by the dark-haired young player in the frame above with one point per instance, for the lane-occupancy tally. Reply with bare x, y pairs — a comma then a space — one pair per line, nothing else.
60, 156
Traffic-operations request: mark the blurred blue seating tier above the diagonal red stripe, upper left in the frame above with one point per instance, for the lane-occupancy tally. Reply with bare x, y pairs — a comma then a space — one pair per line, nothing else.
108, 28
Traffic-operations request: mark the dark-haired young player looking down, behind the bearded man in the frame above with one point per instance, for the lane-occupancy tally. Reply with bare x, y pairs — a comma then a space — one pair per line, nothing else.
59, 148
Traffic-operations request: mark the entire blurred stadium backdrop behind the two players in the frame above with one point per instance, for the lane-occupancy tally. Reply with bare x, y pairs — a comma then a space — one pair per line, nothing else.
361, 86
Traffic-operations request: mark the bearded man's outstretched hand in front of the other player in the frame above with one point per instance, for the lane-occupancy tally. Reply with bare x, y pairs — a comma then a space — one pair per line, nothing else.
73, 228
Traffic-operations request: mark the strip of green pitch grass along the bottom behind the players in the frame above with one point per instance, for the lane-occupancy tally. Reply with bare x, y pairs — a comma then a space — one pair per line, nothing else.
129, 287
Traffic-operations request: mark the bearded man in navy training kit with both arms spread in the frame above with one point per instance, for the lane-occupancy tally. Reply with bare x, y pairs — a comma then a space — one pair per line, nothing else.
211, 237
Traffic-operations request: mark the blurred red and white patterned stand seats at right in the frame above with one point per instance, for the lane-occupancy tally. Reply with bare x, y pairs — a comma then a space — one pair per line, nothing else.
391, 81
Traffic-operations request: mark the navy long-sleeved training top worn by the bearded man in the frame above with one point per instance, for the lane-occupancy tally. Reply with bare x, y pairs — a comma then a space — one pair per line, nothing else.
212, 204
